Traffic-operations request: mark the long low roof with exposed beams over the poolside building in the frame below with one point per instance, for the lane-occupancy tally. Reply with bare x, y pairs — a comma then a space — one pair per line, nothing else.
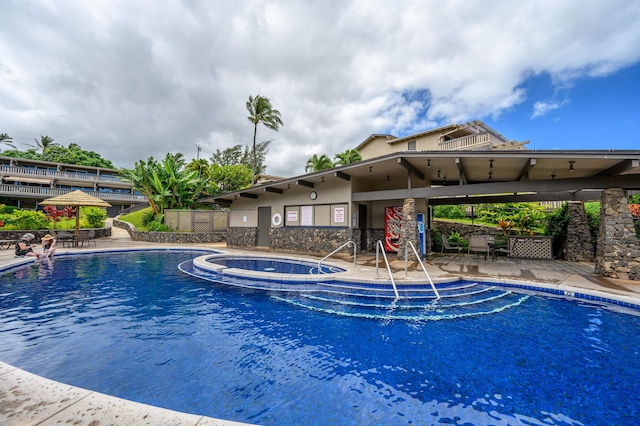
467, 177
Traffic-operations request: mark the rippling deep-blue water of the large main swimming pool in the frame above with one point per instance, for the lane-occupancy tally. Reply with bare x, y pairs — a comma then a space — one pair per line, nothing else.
133, 326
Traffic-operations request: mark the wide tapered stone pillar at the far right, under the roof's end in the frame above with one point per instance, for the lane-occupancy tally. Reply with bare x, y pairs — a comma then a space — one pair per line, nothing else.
618, 253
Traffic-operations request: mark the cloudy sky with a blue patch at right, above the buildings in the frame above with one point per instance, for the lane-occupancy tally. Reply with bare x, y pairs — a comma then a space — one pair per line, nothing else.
133, 79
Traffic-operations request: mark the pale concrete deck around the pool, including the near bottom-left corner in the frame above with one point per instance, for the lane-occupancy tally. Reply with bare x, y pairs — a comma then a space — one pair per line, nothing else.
27, 399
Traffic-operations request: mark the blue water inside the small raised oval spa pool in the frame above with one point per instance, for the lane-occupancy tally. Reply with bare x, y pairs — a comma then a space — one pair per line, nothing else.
272, 265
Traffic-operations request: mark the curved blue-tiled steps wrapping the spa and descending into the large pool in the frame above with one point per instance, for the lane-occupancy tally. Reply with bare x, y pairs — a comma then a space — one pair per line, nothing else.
332, 295
